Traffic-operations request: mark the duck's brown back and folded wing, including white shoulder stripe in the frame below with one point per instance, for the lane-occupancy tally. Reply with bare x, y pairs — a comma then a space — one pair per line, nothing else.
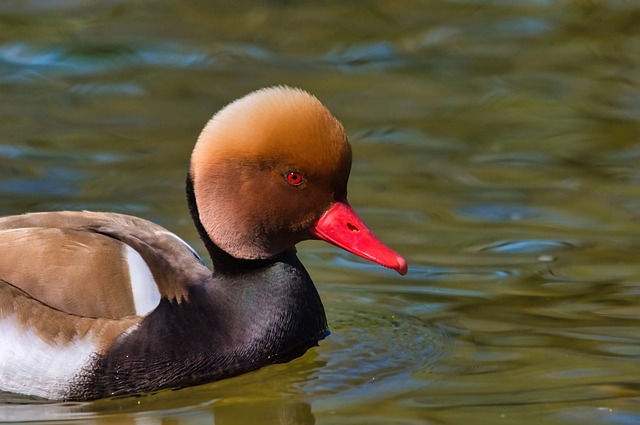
99, 265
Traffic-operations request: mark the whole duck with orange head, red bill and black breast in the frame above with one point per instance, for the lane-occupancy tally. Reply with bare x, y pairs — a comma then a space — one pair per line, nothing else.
98, 304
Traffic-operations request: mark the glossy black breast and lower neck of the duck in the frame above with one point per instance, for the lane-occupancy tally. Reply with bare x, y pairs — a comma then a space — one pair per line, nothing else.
232, 323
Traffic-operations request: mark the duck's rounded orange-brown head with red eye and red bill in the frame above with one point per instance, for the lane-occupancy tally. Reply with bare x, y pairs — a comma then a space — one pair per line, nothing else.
270, 170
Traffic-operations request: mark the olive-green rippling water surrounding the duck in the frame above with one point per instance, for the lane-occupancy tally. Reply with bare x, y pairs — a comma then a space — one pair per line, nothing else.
496, 145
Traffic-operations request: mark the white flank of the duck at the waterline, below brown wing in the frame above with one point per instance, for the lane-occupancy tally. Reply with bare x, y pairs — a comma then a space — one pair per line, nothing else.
29, 365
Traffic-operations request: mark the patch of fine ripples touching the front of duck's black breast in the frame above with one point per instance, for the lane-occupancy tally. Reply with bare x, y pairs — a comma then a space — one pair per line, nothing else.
368, 350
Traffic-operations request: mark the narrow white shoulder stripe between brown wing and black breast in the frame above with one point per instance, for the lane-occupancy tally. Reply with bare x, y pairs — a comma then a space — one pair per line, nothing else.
146, 295
